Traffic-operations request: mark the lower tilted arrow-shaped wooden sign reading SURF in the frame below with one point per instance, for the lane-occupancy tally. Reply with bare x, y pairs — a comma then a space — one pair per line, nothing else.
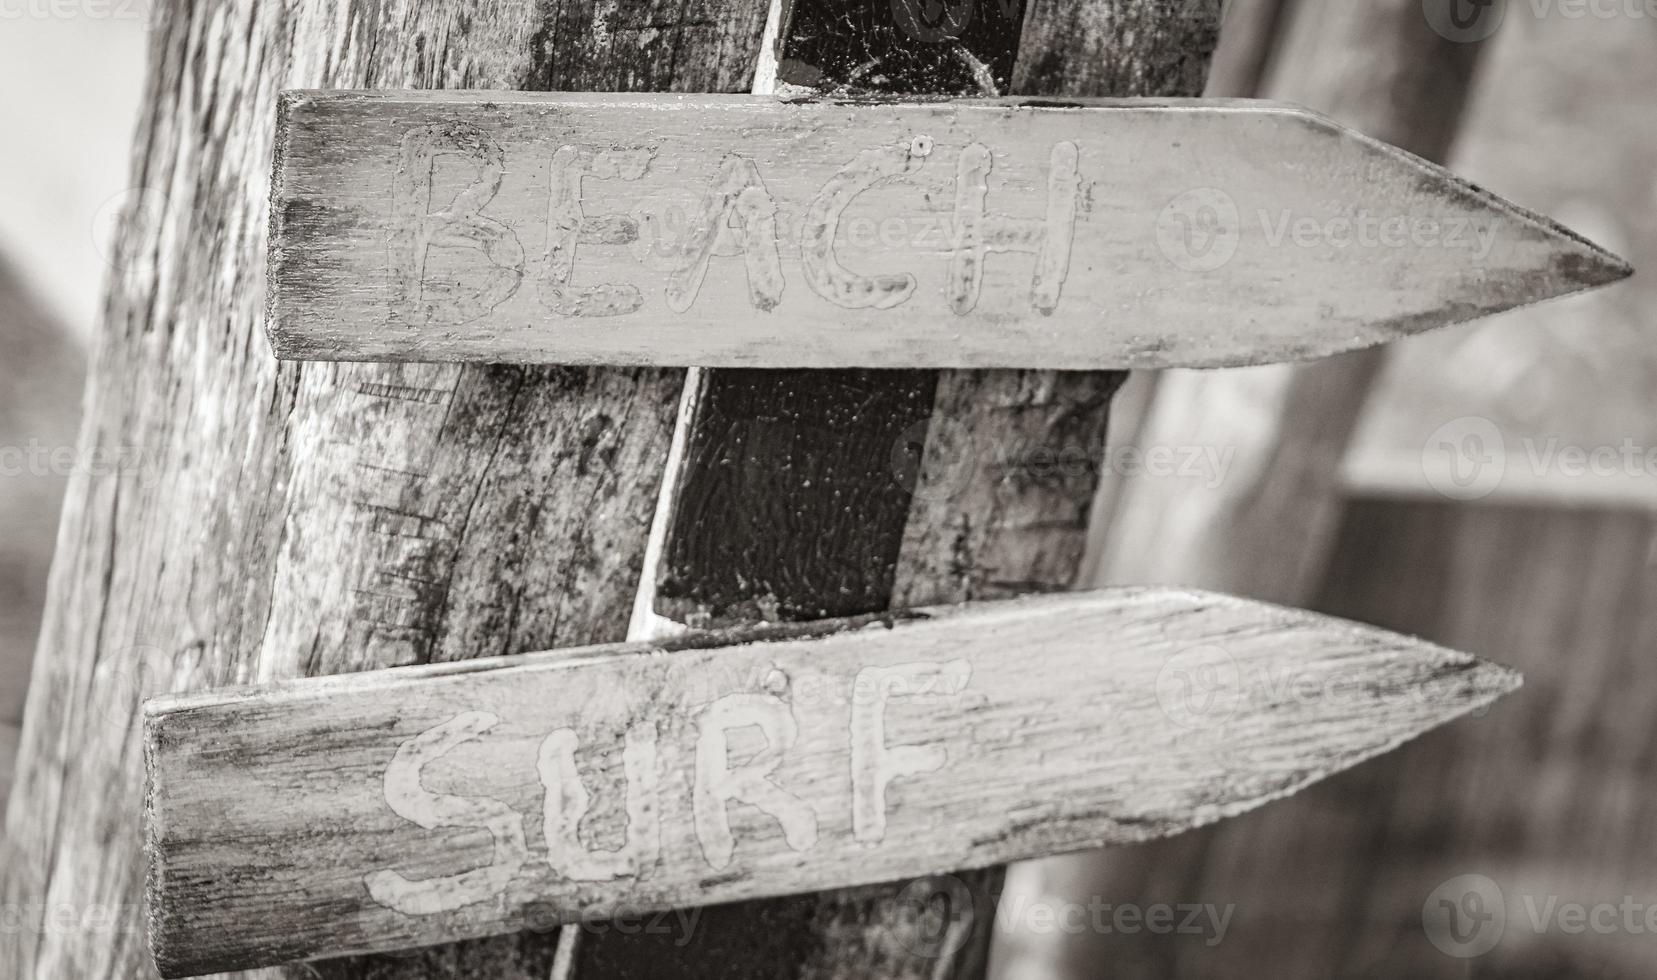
397, 808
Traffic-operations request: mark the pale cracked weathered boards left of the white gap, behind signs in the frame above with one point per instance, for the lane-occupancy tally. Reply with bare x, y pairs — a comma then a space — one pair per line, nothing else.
316, 520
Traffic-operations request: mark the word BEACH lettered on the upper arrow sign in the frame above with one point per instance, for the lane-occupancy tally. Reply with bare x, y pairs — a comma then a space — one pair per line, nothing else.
738, 218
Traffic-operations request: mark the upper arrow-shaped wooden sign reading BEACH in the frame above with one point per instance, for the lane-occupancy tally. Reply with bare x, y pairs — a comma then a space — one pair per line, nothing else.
733, 231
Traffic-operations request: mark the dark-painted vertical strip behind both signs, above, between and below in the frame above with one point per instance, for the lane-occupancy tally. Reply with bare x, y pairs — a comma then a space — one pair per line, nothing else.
821, 458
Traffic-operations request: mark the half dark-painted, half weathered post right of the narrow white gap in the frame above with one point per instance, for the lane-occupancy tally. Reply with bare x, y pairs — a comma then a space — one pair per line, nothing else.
836, 493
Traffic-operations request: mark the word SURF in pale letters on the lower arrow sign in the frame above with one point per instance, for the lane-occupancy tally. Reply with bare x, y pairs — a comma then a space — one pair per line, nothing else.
717, 784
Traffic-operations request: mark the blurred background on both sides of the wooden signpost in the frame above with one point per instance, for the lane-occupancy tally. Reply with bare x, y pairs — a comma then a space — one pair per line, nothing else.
1490, 488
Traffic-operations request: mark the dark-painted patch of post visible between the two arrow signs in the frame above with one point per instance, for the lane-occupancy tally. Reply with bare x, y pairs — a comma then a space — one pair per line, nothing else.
746, 543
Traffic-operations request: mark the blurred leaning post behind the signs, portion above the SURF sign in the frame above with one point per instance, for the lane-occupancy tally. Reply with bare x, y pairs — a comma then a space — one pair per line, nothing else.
1267, 526
